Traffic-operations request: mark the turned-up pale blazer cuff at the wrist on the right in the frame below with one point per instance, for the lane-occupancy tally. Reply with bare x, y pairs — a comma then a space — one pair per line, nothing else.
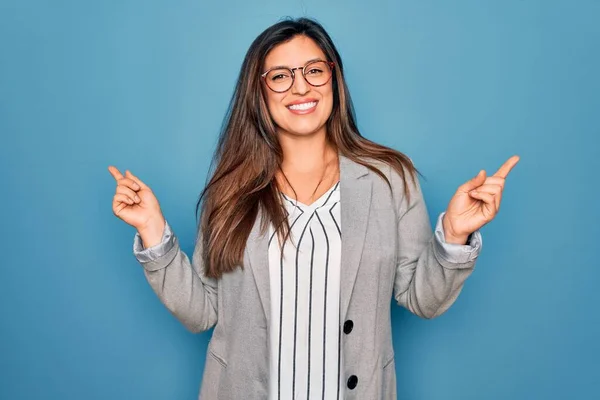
456, 253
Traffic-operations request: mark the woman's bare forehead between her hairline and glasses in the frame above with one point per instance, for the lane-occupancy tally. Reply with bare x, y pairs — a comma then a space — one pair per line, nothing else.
294, 53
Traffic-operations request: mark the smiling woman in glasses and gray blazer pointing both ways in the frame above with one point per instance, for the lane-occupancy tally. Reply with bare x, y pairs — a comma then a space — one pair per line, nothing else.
307, 230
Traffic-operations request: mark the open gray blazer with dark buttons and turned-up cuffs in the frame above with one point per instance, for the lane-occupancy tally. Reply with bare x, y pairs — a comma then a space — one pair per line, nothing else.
388, 249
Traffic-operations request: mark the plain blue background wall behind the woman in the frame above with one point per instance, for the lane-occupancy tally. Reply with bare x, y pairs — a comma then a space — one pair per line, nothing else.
458, 86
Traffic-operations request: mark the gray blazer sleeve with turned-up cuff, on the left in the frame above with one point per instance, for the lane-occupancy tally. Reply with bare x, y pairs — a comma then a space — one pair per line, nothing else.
179, 283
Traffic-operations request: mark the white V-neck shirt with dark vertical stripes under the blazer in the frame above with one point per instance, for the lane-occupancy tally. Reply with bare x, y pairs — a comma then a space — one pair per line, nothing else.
305, 357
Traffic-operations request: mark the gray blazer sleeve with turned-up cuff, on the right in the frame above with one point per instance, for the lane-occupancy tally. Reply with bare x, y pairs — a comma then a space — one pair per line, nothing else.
430, 273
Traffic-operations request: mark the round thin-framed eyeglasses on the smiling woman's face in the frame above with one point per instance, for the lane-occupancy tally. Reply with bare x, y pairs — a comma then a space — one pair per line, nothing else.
316, 73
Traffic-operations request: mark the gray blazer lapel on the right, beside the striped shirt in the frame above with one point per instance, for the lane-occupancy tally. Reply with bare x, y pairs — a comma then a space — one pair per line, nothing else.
355, 195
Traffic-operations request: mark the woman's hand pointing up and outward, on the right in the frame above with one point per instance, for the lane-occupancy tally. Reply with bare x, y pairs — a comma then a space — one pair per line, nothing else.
475, 203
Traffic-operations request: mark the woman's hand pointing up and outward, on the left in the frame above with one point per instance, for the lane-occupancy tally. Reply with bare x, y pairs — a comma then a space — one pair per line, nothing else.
135, 203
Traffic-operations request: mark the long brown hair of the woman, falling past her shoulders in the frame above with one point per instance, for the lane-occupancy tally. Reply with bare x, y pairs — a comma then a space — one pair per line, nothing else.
248, 153
